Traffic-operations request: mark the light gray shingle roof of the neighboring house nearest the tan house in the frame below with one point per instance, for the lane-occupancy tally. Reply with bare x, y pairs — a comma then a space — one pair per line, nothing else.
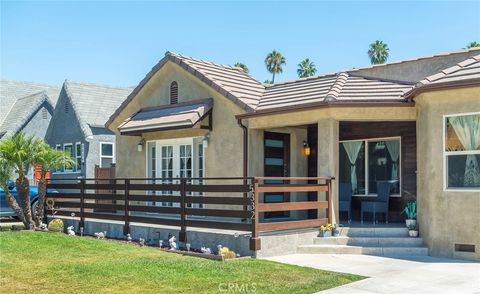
94, 103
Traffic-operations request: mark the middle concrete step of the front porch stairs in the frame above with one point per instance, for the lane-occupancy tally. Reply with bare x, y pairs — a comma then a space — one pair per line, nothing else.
370, 241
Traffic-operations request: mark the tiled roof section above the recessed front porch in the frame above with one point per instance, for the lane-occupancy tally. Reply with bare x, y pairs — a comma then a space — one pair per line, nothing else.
341, 87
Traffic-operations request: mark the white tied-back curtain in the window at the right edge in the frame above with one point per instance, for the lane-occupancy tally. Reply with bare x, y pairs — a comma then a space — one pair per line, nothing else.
467, 129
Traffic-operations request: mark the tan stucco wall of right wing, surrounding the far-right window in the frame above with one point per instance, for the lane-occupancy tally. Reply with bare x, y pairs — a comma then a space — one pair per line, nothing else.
445, 217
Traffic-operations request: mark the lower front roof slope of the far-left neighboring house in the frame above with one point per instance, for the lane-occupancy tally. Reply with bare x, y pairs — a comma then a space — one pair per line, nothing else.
21, 112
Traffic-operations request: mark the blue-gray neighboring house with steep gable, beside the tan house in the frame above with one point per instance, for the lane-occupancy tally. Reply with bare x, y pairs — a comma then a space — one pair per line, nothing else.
77, 126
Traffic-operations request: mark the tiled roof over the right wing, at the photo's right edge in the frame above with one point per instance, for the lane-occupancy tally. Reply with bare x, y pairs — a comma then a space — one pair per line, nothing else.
466, 70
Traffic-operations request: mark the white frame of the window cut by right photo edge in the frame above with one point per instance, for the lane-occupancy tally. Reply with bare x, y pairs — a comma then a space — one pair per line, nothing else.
444, 154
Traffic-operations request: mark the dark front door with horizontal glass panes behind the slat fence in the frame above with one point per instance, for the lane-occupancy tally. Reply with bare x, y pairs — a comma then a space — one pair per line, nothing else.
276, 164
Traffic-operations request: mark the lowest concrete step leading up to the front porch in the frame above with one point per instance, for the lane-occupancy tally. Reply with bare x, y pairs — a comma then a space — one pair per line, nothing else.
370, 250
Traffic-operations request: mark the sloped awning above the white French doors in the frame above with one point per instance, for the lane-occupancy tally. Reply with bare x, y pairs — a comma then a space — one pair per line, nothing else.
168, 117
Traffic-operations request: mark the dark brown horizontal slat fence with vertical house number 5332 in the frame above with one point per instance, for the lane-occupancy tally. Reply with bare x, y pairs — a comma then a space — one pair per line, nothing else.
188, 202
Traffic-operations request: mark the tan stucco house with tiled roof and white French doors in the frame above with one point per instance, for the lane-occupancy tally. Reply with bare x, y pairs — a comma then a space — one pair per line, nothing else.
193, 118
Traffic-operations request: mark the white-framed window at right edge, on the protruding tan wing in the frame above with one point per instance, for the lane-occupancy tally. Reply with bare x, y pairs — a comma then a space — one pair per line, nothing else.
462, 151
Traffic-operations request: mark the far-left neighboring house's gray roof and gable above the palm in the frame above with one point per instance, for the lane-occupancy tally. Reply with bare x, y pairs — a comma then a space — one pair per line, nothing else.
26, 107
